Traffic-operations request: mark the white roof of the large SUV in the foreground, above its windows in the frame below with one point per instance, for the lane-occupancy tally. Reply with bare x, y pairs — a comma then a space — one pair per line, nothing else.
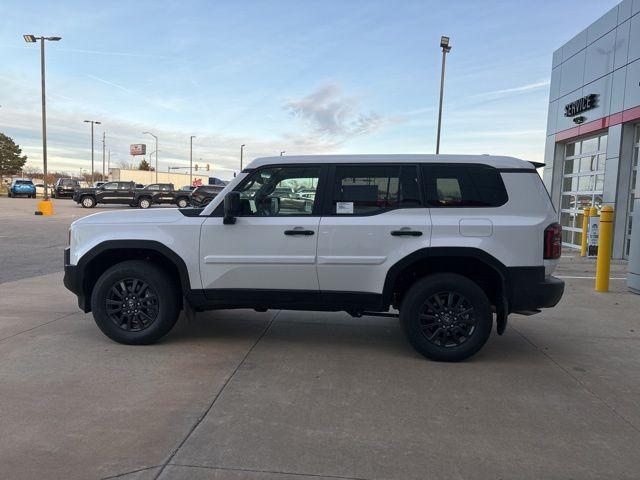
492, 160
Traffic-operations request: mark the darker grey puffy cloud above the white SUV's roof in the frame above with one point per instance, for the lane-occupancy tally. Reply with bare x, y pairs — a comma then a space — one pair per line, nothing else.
333, 116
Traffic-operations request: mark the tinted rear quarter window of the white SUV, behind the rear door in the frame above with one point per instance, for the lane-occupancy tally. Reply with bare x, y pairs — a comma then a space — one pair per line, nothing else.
463, 185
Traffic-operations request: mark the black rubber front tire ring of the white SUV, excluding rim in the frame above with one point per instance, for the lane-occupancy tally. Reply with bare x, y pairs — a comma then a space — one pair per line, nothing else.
168, 304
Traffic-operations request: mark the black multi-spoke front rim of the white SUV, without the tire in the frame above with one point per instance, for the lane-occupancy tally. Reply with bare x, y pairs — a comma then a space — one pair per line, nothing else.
132, 304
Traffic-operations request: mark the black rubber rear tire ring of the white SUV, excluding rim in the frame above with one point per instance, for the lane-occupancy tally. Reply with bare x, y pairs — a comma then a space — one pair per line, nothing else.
423, 289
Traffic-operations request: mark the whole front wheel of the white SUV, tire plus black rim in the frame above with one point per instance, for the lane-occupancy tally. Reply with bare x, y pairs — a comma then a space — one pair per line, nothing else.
159, 303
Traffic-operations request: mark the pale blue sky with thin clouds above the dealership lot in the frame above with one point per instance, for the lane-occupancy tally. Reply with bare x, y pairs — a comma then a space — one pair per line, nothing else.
304, 77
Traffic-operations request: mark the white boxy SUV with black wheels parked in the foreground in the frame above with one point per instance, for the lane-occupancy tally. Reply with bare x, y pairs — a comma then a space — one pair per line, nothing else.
449, 241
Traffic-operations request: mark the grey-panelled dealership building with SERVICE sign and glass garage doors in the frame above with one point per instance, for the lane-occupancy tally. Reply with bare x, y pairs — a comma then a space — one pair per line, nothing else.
593, 125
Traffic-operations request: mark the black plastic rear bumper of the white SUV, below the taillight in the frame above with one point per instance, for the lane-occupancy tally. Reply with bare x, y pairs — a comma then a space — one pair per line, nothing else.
531, 290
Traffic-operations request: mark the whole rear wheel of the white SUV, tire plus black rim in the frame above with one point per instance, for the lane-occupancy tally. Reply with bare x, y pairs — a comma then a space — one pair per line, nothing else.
452, 328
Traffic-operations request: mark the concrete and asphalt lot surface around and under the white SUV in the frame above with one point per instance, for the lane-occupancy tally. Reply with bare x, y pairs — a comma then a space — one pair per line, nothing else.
292, 395
